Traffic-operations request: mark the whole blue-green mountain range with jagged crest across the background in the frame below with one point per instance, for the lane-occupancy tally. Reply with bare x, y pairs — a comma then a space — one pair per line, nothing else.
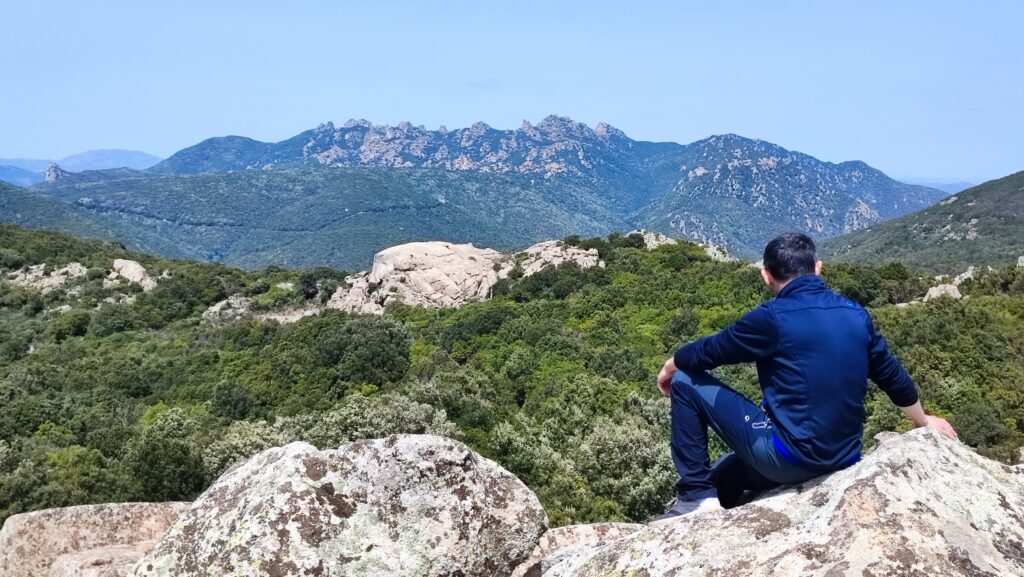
336, 195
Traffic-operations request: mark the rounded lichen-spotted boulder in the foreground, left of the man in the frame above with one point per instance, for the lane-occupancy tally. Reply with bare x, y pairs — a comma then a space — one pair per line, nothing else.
416, 506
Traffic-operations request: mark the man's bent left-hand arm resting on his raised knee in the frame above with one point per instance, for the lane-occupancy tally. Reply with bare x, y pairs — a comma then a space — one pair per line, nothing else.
752, 338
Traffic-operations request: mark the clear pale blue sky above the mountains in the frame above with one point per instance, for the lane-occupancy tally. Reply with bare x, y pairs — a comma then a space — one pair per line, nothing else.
930, 90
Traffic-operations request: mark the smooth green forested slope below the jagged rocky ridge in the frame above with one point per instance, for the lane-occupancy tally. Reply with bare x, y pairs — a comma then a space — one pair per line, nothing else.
336, 217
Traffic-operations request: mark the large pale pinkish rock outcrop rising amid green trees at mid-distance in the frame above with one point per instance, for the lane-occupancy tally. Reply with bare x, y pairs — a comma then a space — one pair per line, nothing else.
440, 274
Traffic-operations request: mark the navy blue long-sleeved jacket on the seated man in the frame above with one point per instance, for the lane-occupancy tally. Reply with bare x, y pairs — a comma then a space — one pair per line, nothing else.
815, 352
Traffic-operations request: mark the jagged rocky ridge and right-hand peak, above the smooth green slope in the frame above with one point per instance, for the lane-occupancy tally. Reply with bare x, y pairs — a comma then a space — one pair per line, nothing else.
729, 190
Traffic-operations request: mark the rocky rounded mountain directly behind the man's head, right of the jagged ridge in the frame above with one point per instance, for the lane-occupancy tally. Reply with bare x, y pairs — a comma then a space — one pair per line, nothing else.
739, 193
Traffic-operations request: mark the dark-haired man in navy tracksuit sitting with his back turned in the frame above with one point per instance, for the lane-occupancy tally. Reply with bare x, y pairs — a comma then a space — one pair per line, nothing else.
815, 352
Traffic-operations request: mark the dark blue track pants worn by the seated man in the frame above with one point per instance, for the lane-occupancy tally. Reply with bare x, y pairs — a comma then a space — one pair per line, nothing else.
700, 401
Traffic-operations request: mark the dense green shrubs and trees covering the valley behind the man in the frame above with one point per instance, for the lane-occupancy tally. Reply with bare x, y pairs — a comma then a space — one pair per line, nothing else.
553, 378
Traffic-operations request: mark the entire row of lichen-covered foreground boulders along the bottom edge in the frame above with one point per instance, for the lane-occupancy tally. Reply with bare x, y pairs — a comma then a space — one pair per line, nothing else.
423, 506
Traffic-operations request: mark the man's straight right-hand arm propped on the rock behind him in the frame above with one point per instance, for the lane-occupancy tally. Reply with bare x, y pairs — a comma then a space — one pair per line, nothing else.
889, 375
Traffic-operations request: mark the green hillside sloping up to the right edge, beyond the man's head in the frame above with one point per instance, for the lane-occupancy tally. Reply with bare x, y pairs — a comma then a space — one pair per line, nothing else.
980, 226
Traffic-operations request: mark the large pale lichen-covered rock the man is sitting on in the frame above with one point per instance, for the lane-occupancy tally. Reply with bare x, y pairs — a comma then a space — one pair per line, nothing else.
919, 505
